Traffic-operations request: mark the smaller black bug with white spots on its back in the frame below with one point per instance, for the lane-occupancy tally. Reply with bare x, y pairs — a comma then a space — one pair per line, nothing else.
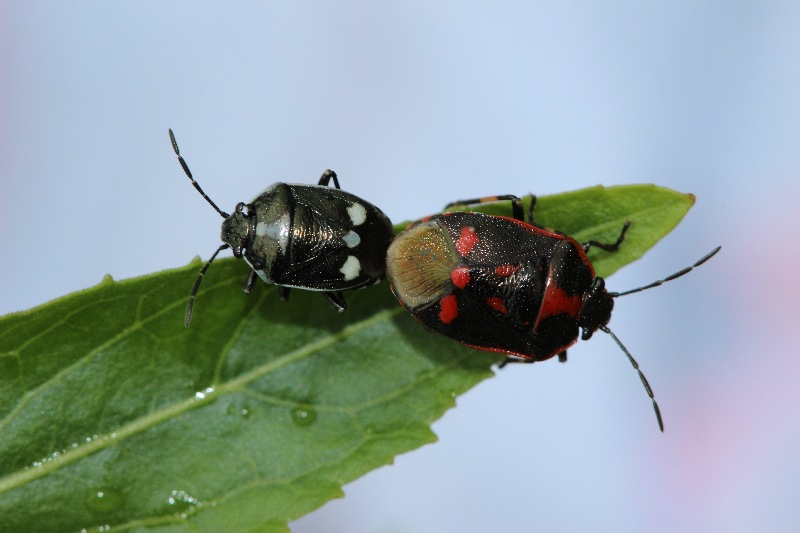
312, 237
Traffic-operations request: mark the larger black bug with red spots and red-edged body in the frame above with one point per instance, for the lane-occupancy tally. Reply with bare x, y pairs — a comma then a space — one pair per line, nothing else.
500, 284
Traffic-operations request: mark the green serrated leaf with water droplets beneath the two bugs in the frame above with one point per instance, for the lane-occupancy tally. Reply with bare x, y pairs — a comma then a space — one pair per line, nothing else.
114, 414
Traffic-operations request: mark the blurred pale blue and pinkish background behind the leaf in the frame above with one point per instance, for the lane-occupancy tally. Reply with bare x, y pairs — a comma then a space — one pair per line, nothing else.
414, 105
